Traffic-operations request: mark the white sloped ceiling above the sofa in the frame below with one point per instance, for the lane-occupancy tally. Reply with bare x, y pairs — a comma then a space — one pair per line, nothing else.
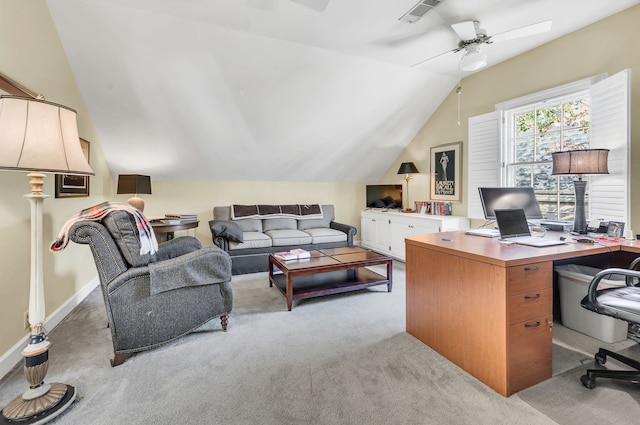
273, 89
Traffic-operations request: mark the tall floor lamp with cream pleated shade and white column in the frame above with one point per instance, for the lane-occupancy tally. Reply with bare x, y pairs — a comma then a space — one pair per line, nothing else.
39, 137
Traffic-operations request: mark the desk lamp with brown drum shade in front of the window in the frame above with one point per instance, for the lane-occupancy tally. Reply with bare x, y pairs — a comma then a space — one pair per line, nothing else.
580, 162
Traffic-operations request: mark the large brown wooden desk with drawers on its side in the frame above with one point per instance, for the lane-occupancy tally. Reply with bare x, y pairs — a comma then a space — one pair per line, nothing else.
487, 307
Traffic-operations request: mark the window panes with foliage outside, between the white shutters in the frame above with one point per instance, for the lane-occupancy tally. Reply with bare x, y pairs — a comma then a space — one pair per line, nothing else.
535, 131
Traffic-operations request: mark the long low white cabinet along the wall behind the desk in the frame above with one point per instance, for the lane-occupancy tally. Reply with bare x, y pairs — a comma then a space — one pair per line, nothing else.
385, 232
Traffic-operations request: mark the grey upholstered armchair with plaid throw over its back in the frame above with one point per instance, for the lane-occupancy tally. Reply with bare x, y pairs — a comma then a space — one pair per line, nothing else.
154, 299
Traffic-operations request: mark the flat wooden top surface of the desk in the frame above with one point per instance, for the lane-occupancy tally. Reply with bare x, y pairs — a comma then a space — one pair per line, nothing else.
491, 251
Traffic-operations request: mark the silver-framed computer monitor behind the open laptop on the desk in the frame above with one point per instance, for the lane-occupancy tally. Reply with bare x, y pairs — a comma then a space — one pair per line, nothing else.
493, 198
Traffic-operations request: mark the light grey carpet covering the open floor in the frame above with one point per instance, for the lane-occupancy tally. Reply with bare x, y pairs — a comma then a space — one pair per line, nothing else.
342, 359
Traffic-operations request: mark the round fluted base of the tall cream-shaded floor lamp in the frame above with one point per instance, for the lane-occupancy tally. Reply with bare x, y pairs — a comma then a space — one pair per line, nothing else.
41, 409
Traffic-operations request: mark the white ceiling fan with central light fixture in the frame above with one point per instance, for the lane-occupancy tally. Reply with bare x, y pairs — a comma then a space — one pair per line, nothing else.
472, 36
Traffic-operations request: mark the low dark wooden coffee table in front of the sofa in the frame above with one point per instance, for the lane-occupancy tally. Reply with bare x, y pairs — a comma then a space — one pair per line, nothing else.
328, 271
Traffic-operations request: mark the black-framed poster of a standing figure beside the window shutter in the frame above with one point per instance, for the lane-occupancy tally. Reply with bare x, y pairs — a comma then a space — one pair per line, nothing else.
446, 183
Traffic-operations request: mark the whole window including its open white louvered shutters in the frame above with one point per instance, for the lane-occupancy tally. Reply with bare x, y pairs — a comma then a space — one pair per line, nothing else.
512, 146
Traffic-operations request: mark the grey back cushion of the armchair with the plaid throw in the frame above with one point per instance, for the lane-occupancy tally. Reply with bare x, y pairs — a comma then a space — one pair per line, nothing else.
124, 231
